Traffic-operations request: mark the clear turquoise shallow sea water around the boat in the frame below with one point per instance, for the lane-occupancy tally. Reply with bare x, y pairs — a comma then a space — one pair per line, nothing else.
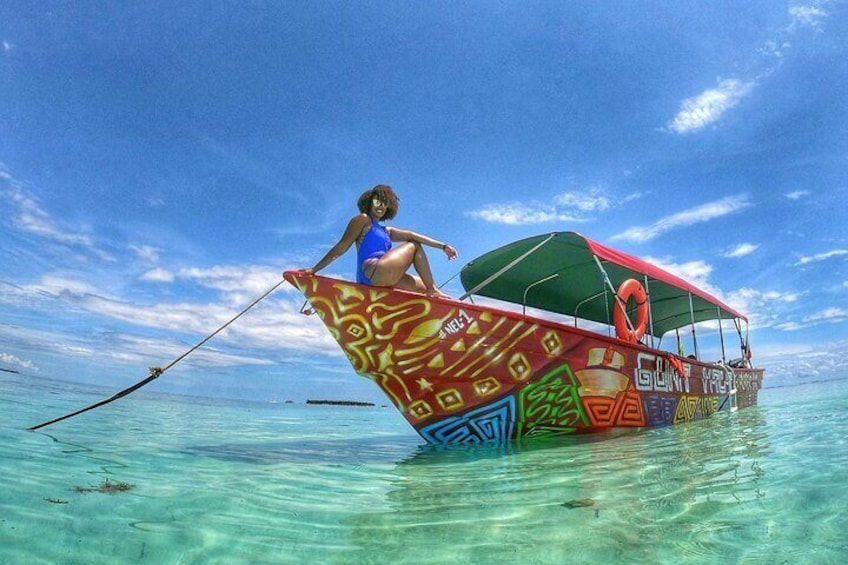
226, 482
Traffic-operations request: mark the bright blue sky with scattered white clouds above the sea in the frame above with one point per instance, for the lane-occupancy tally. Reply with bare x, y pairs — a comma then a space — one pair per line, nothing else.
162, 163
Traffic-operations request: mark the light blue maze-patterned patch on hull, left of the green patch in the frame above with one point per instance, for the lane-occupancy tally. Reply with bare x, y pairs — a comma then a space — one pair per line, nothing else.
493, 423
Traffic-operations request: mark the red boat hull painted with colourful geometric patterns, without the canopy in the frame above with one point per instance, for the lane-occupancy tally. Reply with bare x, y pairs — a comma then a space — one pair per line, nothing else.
463, 373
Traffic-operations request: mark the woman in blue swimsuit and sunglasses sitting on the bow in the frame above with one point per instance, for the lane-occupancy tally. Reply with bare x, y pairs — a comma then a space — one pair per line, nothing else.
378, 263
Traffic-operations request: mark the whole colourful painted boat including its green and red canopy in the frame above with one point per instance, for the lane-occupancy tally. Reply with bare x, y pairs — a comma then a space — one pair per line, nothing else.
565, 337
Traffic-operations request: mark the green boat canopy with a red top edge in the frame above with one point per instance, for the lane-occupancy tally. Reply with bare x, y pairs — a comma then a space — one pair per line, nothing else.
559, 272
